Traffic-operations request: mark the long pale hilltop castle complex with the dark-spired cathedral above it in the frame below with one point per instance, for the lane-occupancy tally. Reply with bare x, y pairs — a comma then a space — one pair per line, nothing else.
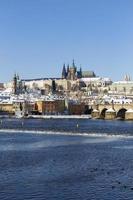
72, 79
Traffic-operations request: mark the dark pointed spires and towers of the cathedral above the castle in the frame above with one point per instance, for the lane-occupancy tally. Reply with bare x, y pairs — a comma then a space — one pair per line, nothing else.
71, 72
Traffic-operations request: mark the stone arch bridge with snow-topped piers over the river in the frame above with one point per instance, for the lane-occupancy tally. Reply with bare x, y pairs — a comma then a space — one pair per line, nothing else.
112, 111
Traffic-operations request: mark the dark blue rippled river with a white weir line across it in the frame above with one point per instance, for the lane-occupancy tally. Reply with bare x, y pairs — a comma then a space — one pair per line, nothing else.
93, 162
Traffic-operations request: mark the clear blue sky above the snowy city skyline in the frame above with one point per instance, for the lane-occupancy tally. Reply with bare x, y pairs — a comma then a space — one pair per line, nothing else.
38, 36
